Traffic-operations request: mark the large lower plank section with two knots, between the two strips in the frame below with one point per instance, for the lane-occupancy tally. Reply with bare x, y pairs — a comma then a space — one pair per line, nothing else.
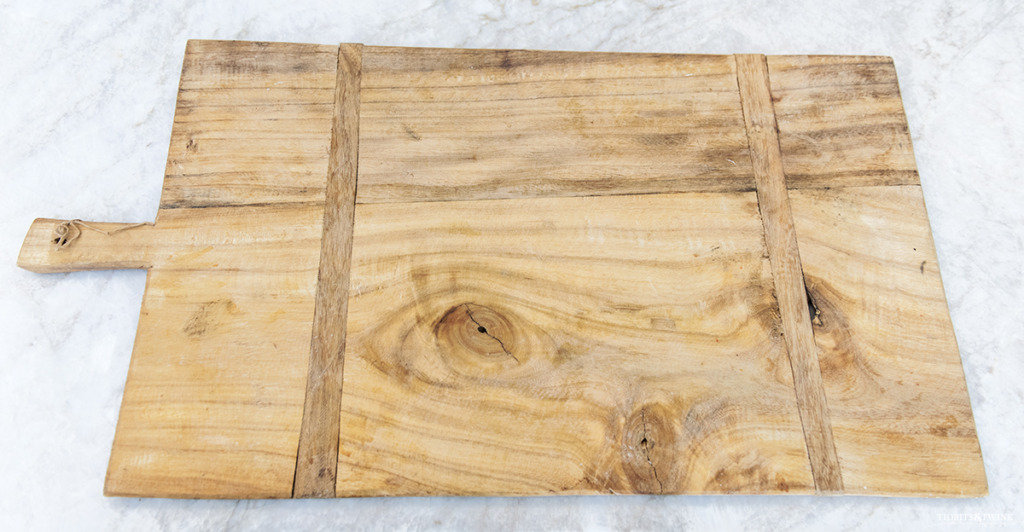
573, 345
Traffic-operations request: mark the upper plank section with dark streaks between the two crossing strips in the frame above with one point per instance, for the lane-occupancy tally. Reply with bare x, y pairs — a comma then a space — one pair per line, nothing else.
444, 125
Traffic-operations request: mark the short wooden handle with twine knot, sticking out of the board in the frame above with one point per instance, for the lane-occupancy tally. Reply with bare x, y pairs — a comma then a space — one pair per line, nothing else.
63, 246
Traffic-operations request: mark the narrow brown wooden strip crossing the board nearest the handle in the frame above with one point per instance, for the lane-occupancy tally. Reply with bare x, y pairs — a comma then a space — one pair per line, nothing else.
316, 468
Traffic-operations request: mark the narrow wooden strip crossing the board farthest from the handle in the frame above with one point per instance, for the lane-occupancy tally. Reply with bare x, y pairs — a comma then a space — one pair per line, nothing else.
781, 238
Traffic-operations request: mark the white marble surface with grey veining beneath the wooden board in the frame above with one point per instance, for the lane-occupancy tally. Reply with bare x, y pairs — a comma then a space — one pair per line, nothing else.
87, 101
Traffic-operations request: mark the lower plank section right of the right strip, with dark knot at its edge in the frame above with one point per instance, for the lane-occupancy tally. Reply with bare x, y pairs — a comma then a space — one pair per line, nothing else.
898, 397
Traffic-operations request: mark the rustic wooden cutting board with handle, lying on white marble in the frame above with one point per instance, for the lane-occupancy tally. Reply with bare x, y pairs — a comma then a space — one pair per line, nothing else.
407, 272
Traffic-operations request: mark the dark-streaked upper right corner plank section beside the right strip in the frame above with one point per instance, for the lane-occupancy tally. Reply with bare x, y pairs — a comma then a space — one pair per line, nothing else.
841, 121
